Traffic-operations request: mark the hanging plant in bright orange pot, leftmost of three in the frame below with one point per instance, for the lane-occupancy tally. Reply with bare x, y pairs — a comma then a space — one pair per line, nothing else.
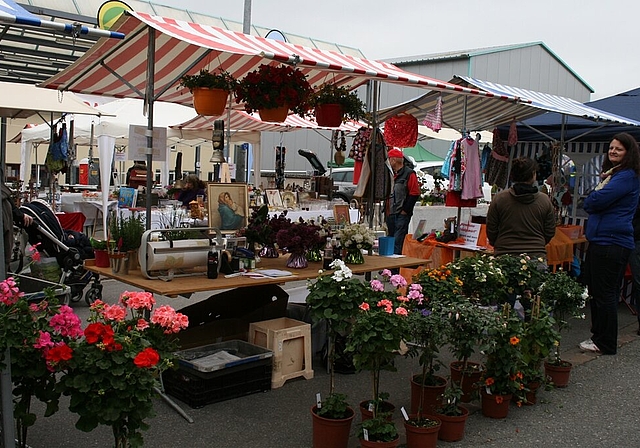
210, 90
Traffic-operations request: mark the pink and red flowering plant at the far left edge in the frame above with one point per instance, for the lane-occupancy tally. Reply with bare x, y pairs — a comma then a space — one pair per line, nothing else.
36, 334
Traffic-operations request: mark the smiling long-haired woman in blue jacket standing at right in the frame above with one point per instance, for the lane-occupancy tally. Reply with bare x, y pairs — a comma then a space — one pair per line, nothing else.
611, 206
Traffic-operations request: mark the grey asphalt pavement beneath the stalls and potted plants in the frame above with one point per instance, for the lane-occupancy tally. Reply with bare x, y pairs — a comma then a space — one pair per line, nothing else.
599, 408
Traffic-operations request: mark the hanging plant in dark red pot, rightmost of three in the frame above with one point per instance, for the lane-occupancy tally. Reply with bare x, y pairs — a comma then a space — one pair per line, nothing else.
332, 104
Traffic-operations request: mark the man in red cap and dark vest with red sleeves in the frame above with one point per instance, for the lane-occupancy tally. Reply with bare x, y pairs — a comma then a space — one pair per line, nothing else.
404, 196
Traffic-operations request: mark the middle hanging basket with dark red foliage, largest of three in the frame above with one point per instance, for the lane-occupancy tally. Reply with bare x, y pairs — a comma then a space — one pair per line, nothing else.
273, 91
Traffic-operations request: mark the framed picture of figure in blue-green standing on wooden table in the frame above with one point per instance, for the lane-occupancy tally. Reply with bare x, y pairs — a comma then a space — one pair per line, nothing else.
228, 206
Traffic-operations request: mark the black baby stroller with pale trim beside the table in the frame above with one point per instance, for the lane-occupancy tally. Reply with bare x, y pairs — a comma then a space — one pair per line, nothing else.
53, 241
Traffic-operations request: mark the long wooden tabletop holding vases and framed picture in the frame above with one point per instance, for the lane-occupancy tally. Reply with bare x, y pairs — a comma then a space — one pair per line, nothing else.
188, 285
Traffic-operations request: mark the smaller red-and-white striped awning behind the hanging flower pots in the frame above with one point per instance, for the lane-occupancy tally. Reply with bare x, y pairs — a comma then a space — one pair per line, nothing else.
244, 122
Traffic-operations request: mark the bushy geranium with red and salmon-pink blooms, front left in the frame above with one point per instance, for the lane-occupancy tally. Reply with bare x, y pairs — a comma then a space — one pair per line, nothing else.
113, 372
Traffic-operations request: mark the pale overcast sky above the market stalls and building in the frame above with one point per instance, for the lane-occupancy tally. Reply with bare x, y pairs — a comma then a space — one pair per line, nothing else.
598, 39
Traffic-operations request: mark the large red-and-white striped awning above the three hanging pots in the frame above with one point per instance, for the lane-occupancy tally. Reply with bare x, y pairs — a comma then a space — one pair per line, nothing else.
119, 68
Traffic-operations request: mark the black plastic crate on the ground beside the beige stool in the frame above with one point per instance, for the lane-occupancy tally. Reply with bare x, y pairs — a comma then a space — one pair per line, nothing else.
200, 383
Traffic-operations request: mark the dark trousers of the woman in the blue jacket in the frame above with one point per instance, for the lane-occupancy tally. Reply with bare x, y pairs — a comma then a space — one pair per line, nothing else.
603, 271
